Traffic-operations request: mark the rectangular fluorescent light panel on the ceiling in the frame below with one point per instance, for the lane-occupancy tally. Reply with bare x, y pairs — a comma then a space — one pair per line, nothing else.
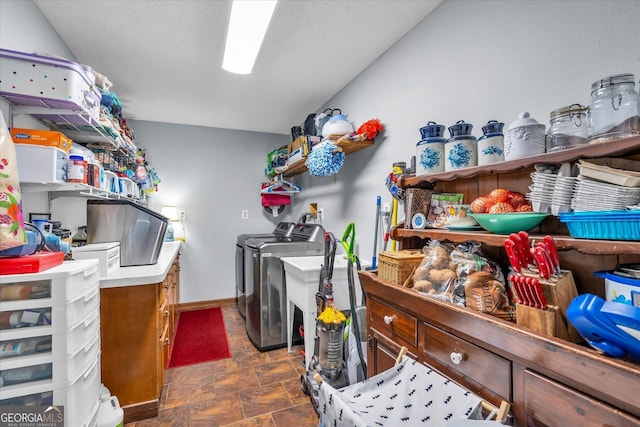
247, 26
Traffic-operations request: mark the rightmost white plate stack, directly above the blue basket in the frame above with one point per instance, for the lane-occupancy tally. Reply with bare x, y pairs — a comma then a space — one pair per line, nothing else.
591, 195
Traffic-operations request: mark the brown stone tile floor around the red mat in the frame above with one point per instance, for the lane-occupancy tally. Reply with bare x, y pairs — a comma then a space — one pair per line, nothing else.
252, 388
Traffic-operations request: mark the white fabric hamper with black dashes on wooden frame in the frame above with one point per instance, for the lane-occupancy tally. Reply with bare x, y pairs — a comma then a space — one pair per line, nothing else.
409, 394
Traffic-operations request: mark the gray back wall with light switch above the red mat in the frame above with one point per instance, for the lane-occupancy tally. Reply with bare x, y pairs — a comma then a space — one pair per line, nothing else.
213, 174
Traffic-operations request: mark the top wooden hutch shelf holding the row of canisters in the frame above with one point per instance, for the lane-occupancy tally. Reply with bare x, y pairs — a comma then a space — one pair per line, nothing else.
613, 148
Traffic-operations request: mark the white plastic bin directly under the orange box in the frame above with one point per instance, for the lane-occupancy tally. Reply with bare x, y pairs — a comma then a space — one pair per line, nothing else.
40, 164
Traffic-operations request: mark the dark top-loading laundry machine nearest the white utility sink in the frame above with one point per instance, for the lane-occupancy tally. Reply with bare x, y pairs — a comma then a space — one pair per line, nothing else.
266, 292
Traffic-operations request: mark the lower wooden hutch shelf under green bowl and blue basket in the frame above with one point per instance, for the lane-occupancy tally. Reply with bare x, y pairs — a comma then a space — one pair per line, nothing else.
587, 246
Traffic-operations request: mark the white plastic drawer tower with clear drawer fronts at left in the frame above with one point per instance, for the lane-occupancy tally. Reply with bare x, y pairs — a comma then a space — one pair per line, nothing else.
50, 334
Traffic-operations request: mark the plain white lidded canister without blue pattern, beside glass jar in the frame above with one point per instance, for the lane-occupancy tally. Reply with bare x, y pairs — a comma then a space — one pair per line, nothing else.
525, 137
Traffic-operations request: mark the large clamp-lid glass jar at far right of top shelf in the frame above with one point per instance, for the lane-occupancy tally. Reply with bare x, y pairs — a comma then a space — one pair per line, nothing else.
614, 110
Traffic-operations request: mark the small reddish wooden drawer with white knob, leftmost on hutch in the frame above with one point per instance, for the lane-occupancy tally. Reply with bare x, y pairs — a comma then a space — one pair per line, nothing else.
395, 323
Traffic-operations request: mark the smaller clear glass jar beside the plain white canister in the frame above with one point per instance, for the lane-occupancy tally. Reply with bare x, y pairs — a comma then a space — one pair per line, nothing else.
569, 128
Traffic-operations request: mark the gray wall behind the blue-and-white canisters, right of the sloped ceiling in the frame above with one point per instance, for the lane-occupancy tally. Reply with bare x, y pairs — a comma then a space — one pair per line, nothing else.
476, 61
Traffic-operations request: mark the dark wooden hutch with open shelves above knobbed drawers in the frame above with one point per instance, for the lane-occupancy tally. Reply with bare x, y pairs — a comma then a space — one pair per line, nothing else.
549, 381
